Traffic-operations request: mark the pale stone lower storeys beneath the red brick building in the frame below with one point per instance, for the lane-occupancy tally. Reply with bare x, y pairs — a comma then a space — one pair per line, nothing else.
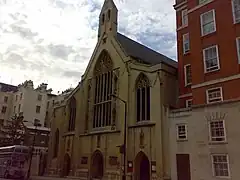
210, 138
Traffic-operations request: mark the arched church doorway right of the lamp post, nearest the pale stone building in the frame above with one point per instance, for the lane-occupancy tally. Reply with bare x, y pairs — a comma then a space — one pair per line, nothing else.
142, 167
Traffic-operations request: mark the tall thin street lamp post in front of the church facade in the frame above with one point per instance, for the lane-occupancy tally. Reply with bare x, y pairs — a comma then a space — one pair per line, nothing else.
125, 135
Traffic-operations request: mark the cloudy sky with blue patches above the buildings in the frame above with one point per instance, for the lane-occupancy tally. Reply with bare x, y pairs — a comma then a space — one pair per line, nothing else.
51, 41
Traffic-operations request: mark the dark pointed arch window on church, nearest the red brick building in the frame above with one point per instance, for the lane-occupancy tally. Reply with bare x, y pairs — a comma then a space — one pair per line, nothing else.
143, 98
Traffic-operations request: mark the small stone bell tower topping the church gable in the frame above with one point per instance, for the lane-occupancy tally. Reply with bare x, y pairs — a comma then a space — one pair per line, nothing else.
108, 19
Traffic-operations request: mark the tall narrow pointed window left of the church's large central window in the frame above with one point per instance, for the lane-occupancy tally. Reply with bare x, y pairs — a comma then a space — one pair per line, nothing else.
72, 117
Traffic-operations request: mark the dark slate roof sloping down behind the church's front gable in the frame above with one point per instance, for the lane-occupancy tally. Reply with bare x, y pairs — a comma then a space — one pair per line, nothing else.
145, 54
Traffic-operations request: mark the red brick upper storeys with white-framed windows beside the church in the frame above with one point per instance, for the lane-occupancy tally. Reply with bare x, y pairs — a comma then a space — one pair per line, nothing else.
208, 37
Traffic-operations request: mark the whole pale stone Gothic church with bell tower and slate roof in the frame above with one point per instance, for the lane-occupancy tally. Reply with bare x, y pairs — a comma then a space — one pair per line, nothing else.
115, 121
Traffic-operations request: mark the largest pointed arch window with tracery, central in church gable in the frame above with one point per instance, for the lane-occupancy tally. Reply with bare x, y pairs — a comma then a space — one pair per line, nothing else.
103, 73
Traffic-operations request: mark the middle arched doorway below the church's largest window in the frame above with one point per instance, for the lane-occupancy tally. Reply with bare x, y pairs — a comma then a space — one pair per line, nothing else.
97, 165
